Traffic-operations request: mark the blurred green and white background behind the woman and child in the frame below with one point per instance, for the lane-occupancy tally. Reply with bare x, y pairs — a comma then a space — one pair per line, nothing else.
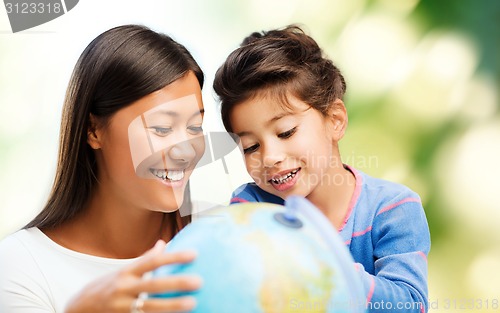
422, 99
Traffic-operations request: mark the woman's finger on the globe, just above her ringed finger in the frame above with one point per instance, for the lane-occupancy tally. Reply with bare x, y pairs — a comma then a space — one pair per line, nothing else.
169, 284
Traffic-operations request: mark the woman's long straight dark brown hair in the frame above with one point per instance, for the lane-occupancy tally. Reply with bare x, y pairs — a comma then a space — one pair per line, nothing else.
117, 68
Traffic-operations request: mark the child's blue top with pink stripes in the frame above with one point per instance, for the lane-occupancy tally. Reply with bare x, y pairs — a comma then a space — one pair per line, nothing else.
388, 236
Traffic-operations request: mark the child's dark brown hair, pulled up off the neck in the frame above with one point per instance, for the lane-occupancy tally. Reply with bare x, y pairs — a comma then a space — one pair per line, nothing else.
278, 61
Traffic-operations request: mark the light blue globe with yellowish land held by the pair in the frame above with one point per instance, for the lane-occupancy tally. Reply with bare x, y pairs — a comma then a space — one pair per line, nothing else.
262, 258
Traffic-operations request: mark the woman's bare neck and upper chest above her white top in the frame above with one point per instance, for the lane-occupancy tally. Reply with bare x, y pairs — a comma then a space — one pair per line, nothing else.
107, 230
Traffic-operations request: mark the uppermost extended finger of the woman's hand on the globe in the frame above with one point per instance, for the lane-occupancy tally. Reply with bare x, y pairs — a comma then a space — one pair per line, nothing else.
152, 261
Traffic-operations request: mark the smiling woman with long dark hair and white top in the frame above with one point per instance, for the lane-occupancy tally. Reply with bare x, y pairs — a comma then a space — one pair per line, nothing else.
130, 136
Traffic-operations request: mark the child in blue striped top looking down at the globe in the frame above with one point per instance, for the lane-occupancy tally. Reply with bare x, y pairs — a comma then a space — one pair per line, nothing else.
283, 98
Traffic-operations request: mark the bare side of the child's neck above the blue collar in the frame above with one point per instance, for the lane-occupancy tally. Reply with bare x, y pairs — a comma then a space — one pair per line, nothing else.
334, 195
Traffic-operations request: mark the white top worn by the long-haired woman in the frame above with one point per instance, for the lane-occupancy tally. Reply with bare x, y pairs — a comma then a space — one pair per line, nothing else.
38, 275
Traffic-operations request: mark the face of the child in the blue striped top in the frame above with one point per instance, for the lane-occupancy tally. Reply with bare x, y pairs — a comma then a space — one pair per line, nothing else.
287, 150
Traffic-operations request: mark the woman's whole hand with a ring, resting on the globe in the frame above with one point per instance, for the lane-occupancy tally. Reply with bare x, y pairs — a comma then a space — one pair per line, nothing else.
116, 293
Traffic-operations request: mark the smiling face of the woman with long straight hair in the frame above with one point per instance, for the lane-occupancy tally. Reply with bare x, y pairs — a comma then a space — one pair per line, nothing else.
148, 150
